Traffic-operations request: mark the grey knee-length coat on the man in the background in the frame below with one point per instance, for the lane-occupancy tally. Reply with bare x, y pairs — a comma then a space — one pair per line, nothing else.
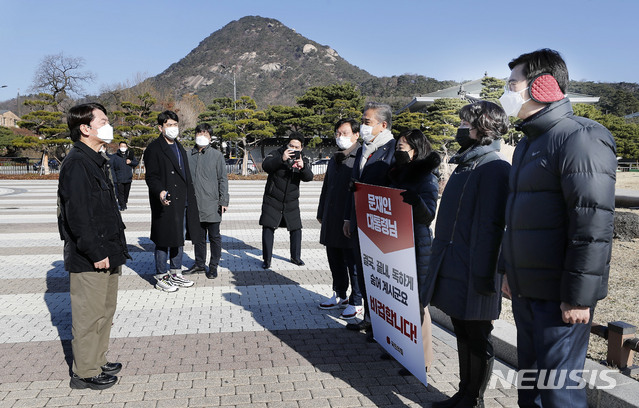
208, 172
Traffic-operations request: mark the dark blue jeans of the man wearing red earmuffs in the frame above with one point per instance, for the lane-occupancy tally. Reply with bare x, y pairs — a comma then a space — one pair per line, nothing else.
545, 342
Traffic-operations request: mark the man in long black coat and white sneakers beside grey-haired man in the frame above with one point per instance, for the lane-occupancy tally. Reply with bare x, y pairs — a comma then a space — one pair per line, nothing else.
339, 249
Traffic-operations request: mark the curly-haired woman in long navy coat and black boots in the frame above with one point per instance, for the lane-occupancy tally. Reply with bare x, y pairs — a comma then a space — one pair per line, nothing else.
468, 234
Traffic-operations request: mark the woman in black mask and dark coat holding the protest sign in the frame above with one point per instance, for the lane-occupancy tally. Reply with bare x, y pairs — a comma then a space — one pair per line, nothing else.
416, 171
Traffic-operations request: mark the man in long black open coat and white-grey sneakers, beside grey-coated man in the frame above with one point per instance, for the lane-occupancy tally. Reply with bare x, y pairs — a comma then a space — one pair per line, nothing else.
173, 203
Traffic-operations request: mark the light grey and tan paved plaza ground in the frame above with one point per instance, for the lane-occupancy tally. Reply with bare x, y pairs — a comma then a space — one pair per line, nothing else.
249, 338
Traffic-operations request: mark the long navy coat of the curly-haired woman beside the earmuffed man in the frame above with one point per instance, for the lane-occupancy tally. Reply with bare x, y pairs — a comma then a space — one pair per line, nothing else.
468, 235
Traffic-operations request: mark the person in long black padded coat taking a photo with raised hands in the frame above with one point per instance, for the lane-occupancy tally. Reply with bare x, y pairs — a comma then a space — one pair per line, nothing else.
286, 167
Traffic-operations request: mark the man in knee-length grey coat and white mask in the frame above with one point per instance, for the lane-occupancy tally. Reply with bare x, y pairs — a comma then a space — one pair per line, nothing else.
208, 172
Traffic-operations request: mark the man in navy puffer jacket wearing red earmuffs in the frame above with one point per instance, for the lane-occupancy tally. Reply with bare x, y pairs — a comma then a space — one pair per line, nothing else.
558, 239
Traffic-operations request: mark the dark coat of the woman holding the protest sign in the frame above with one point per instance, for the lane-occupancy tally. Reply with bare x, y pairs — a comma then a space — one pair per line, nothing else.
420, 177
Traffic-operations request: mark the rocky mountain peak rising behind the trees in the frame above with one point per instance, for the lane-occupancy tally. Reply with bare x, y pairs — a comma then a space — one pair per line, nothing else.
275, 65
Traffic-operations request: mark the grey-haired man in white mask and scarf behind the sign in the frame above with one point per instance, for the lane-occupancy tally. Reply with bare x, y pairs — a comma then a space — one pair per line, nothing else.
372, 162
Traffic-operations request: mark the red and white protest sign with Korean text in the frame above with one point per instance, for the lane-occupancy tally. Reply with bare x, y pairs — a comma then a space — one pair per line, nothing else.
385, 228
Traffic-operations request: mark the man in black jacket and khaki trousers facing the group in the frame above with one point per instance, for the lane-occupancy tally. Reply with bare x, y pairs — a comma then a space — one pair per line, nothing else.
94, 245
